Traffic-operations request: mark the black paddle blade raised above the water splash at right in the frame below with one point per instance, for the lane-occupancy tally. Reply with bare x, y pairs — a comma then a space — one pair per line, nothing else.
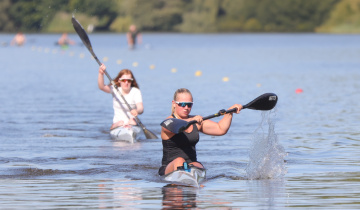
266, 101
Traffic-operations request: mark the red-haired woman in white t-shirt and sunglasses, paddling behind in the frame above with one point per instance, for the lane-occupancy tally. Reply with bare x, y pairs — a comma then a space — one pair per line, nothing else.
129, 88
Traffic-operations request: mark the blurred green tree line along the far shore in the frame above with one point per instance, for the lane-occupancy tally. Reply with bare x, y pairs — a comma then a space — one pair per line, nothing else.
188, 16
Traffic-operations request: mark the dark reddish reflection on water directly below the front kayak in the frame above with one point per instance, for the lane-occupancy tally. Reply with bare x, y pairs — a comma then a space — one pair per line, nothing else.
179, 197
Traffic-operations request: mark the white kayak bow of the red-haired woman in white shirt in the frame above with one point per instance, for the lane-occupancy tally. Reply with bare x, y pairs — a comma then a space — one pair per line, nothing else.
129, 133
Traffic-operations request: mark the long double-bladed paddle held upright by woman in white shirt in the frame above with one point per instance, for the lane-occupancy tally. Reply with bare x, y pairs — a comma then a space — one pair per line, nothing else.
85, 39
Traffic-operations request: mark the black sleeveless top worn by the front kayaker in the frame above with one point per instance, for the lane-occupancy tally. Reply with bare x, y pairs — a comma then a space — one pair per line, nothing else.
180, 145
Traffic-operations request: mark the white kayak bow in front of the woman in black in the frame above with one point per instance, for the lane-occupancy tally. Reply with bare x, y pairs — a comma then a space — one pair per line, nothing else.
191, 177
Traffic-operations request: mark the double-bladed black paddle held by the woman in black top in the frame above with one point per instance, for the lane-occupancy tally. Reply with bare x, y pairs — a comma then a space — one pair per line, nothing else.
265, 102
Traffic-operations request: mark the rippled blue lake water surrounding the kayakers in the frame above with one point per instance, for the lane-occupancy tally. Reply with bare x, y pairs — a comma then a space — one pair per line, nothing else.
56, 152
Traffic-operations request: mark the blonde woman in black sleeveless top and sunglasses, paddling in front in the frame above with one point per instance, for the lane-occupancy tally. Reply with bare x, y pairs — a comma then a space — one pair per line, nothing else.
180, 148
